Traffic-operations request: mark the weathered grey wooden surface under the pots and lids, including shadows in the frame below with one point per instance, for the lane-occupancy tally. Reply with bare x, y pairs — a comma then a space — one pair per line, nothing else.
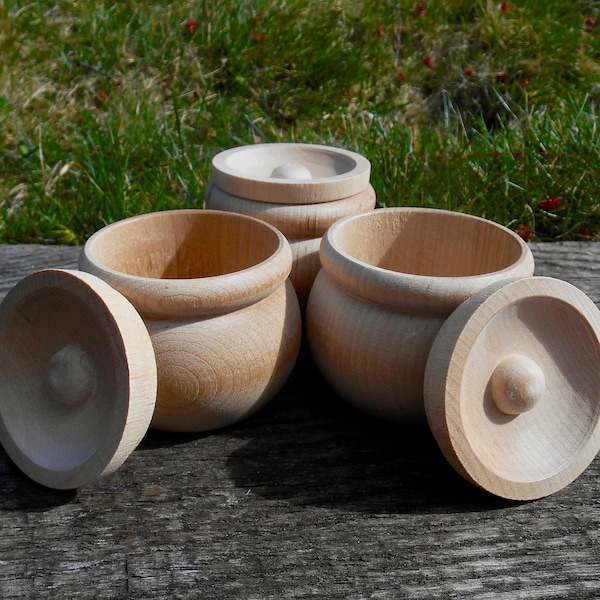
307, 499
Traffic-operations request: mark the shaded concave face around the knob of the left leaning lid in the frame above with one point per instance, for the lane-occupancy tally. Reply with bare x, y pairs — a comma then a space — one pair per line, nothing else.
52, 434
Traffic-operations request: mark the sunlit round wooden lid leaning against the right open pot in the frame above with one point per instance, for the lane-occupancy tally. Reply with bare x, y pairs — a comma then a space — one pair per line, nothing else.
512, 387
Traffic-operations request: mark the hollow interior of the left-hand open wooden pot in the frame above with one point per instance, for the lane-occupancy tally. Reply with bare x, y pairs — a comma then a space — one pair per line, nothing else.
185, 244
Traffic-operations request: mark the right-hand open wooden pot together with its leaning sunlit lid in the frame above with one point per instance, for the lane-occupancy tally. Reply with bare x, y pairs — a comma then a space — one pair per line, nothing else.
423, 313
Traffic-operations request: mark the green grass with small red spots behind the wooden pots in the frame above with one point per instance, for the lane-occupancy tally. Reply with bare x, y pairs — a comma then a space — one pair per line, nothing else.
114, 108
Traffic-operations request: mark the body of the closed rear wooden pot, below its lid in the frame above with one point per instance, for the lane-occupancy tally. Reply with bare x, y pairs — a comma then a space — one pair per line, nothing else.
302, 224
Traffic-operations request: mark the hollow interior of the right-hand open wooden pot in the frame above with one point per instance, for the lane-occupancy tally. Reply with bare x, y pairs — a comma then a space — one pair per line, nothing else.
430, 243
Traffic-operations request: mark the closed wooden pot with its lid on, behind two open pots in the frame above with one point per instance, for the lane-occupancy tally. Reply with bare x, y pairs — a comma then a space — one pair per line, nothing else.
299, 188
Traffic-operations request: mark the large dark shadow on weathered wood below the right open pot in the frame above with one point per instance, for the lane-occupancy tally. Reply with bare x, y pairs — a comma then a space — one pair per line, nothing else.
311, 451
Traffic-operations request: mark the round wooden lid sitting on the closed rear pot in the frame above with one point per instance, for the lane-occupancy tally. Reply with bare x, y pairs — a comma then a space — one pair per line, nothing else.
290, 173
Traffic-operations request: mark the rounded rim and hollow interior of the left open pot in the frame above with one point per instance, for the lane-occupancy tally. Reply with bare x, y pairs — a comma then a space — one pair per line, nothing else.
214, 261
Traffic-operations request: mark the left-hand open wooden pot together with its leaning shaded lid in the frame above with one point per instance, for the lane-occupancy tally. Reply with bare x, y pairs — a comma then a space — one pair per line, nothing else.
181, 320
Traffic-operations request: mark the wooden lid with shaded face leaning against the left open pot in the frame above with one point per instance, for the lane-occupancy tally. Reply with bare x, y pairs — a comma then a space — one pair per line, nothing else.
77, 377
